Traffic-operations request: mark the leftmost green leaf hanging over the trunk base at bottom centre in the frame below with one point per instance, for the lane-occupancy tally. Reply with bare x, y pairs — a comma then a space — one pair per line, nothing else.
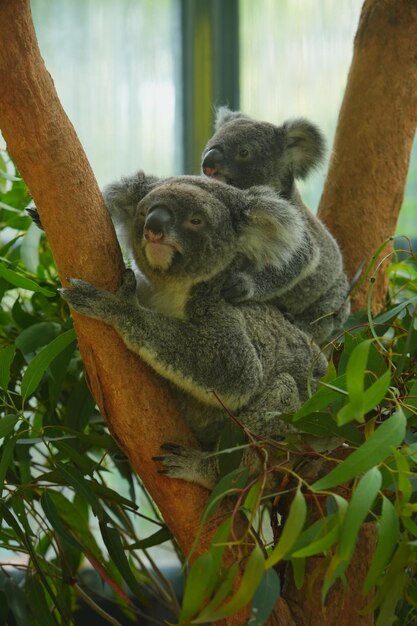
198, 587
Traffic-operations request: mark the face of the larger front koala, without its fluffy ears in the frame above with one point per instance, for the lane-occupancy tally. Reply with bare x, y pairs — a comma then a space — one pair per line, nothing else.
182, 230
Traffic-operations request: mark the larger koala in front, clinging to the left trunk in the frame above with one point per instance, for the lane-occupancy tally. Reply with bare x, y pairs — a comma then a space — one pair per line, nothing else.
184, 234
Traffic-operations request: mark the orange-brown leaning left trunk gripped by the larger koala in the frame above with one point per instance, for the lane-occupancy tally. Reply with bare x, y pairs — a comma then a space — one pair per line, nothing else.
49, 156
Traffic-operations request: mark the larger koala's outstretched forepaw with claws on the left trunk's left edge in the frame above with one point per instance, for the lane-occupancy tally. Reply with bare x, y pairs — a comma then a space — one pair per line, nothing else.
87, 300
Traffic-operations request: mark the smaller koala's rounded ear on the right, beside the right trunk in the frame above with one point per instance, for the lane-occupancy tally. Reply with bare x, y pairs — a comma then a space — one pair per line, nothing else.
305, 146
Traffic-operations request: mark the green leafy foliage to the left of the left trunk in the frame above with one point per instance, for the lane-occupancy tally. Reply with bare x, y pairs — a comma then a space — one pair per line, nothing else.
60, 471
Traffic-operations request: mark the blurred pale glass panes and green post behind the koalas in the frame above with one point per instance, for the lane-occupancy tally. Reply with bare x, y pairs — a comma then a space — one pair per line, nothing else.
140, 79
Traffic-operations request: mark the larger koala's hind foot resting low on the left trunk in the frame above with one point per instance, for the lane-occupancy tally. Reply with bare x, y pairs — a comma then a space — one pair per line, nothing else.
188, 464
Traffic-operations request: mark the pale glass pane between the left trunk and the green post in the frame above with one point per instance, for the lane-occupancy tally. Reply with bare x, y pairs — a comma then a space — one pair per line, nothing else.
115, 65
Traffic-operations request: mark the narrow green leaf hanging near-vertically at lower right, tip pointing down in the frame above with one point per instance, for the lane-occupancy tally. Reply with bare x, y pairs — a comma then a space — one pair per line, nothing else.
388, 536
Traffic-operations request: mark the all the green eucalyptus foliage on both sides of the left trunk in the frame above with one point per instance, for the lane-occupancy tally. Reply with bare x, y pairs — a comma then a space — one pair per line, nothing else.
352, 461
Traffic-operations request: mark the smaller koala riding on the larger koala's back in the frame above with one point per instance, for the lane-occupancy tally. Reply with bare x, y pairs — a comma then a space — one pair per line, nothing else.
310, 285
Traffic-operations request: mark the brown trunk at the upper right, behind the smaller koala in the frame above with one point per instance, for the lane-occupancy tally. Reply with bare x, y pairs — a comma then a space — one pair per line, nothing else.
377, 121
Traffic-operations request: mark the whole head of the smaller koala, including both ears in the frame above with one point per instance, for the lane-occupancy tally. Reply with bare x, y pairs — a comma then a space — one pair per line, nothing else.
244, 152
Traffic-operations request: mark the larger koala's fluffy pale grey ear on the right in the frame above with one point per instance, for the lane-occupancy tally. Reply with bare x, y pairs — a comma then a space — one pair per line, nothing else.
273, 228
